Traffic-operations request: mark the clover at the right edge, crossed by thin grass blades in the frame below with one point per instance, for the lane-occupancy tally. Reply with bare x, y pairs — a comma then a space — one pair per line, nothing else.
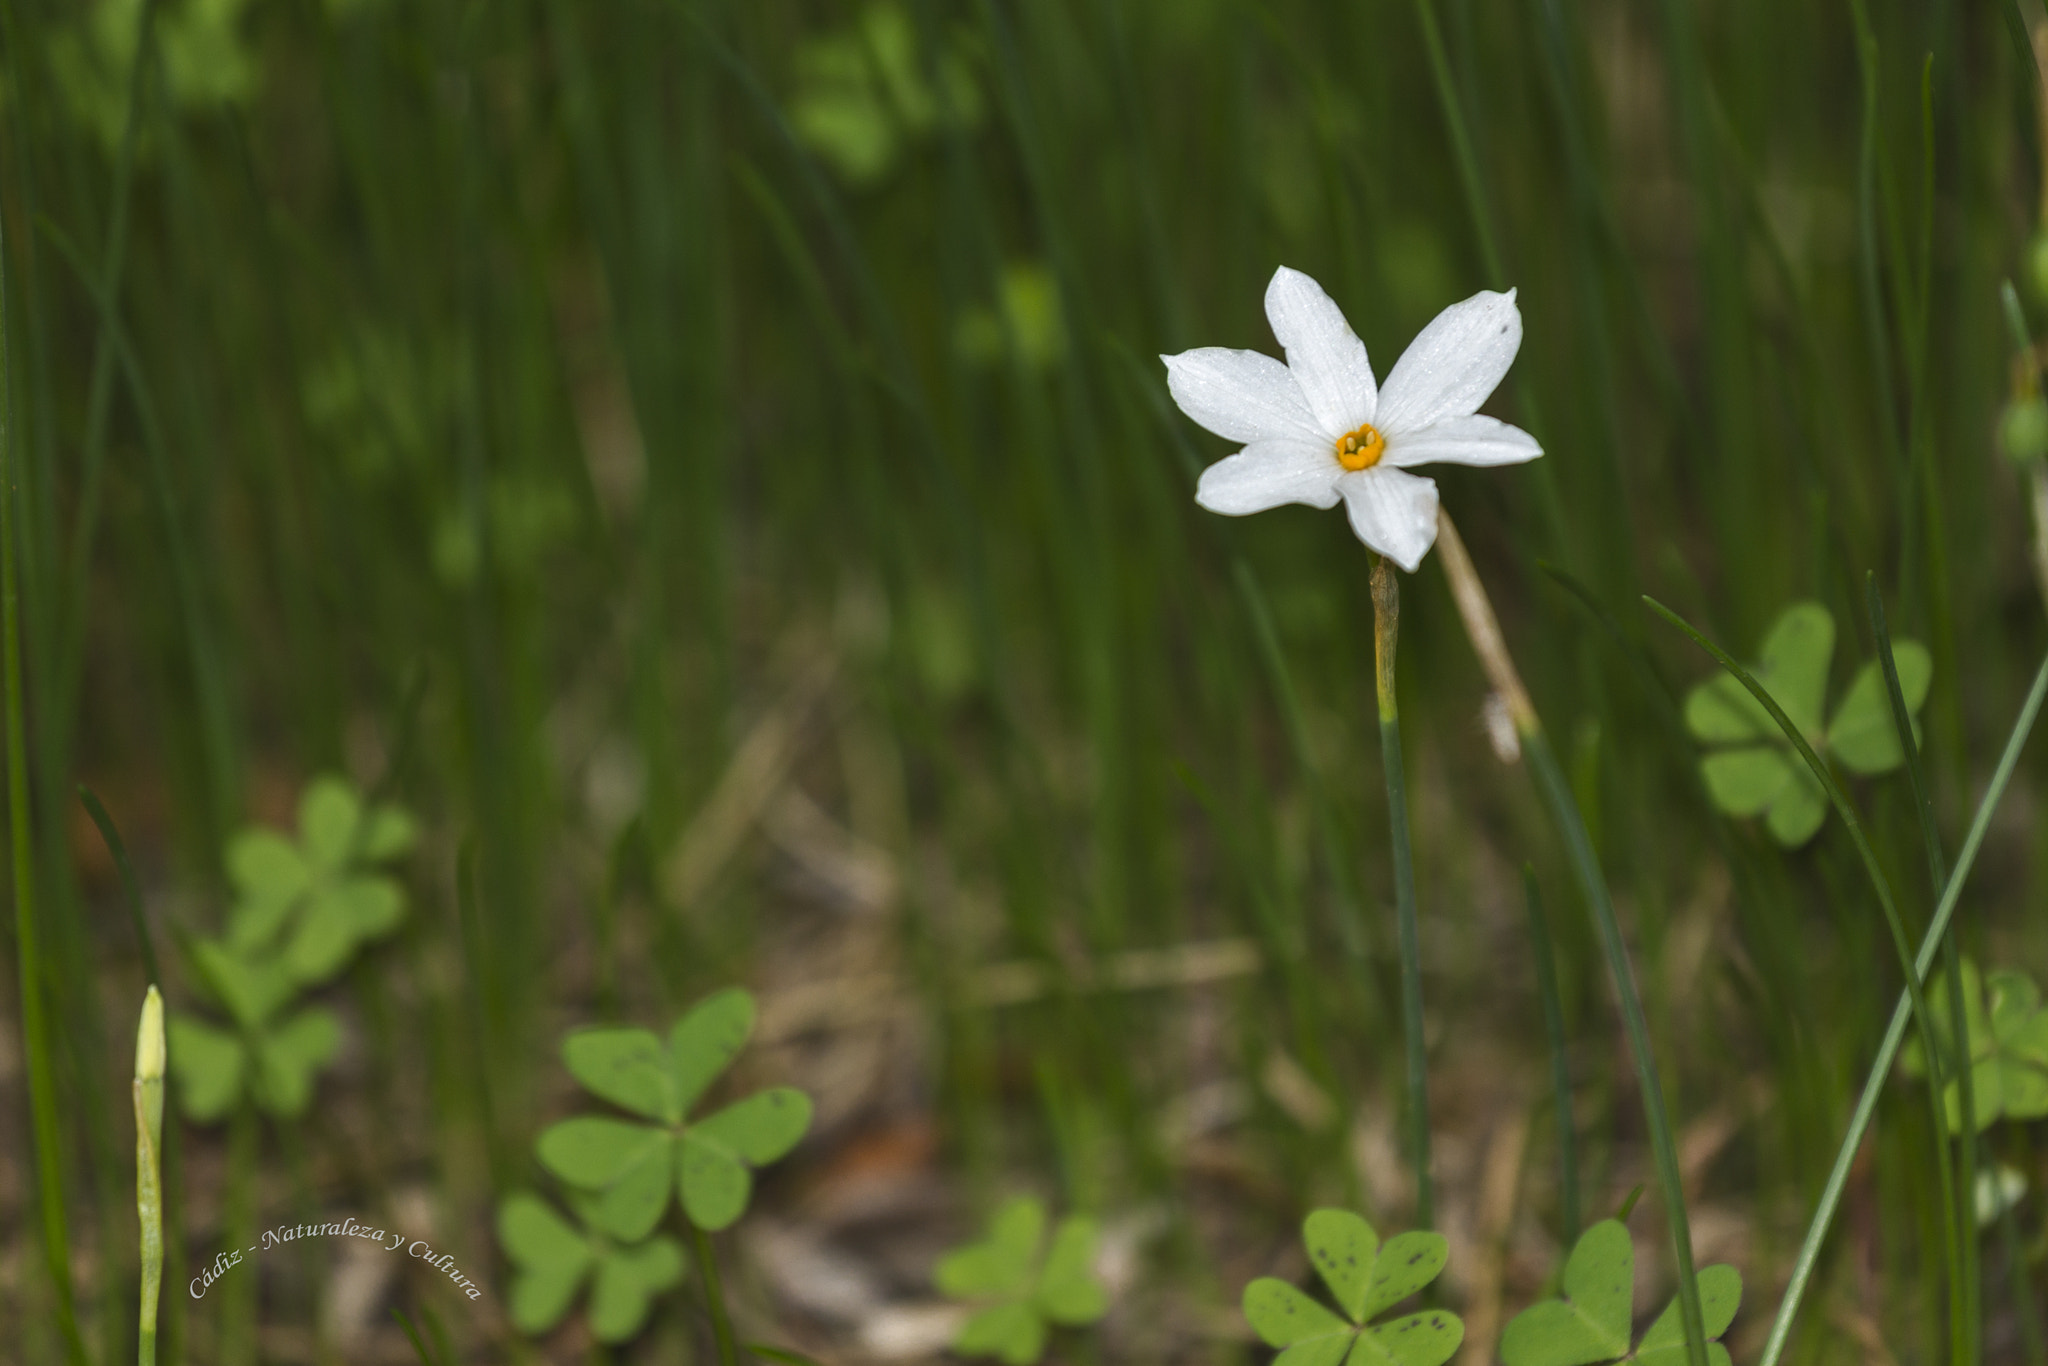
2008, 1045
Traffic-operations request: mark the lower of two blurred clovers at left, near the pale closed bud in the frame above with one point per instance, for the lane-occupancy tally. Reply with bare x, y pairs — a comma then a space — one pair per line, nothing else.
269, 1058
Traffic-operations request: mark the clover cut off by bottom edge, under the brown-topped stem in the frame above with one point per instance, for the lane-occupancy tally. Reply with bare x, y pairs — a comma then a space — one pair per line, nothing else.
1592, 1320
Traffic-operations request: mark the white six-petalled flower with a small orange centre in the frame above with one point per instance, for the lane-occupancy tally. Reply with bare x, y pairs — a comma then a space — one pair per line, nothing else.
1320, 429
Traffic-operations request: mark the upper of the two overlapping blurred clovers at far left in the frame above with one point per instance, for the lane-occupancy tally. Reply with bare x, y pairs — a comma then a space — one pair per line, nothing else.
314, 898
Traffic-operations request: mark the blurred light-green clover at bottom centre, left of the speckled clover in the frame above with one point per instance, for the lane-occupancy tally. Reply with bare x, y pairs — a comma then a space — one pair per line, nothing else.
1029, 1283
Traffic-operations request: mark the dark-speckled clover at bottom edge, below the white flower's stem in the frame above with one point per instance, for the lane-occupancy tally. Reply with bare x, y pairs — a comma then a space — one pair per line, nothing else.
1367, 1279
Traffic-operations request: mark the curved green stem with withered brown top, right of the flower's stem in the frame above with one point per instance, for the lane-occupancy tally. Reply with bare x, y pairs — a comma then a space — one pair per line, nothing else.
1555, 792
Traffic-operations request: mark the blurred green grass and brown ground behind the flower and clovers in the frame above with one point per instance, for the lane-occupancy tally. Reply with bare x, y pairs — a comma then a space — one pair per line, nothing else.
712, 464
